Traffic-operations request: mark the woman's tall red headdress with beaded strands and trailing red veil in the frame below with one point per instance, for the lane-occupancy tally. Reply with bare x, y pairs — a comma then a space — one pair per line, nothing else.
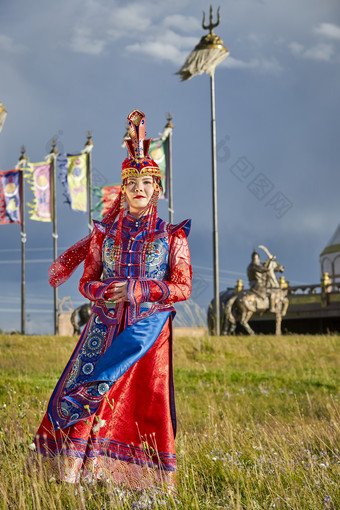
137, 164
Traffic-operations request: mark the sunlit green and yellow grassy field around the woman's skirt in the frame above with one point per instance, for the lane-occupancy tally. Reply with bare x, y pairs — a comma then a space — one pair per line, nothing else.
259, 425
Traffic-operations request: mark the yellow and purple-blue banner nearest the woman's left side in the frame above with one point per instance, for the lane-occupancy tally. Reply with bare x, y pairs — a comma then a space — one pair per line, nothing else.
73, 175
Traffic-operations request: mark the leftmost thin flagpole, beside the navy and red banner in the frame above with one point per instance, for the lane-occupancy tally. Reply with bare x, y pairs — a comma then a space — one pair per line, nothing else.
21, 164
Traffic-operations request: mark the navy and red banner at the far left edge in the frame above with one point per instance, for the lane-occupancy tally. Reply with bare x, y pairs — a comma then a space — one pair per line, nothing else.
10, 197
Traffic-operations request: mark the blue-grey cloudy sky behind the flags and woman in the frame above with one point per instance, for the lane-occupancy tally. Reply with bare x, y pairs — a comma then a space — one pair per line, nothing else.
74, 65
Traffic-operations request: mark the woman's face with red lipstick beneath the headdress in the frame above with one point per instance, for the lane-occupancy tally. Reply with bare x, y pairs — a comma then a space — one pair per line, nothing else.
139, 190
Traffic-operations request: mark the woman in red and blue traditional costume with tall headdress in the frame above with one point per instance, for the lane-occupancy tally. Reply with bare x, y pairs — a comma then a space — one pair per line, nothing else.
112, 413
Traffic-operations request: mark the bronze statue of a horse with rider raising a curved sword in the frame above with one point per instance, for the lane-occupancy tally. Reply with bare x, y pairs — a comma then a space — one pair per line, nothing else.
264, 295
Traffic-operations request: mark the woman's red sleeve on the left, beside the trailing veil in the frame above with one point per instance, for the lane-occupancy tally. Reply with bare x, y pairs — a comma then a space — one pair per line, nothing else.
90, 284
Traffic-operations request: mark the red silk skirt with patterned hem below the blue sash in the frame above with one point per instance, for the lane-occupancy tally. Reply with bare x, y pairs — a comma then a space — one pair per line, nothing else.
130, 439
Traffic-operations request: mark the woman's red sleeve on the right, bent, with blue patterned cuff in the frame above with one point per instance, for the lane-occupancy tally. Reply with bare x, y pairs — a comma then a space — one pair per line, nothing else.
178, 288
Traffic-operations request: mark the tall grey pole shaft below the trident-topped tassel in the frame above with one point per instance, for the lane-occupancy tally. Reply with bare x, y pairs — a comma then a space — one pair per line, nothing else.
214, 200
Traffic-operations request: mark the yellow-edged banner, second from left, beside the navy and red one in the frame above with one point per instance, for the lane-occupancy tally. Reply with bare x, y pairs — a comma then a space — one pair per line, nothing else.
39, 177
